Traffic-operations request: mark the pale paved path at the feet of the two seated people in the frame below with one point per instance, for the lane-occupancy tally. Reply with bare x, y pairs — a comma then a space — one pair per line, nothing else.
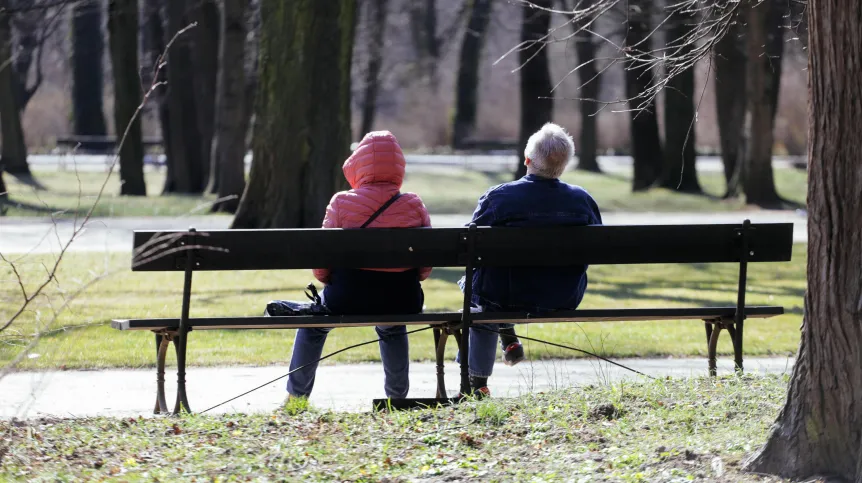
348, 387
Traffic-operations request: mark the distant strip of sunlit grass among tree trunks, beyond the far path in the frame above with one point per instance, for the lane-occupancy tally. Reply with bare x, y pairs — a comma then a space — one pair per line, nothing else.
443, 192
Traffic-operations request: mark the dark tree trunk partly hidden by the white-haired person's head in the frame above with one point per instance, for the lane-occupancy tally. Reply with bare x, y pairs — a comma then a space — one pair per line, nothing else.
537, 107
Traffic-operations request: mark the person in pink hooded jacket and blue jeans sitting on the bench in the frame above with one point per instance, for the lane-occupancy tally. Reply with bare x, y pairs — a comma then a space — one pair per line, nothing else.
375, 172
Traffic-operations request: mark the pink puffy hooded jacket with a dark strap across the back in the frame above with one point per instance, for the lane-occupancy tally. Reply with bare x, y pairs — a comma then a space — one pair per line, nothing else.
375, 171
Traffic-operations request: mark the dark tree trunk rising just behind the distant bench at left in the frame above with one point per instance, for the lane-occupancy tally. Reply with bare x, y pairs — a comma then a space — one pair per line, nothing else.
87, 71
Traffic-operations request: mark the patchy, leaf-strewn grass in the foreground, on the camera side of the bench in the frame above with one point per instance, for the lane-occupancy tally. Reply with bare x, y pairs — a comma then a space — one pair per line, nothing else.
663, 431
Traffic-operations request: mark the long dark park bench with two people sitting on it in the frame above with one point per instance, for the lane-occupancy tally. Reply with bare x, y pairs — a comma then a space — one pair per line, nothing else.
467, 248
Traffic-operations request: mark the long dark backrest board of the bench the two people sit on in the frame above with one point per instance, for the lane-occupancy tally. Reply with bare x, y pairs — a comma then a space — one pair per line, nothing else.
453, 247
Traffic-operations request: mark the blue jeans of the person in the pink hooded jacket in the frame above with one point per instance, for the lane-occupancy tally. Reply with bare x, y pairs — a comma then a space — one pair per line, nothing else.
308, 347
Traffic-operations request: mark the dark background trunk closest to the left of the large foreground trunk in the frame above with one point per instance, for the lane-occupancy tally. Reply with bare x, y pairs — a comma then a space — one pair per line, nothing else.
761, 96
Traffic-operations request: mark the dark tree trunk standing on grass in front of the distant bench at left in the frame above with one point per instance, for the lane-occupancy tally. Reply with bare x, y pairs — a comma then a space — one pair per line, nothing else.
123, 31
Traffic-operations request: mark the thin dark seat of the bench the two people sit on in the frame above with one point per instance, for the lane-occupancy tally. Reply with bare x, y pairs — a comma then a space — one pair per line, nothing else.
439, 318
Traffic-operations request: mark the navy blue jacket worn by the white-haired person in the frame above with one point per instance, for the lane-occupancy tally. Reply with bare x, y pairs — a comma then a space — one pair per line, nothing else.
533, 201
